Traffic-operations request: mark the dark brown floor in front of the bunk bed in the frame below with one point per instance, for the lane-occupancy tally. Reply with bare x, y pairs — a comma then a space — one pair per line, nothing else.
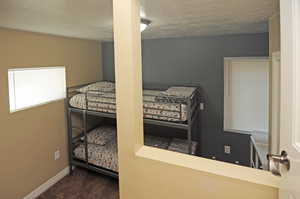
83, 184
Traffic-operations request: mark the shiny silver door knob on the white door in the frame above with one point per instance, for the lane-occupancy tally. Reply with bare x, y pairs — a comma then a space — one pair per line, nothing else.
277, 162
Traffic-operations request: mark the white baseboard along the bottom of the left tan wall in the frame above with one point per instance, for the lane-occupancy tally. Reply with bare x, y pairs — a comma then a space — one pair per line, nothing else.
41, 189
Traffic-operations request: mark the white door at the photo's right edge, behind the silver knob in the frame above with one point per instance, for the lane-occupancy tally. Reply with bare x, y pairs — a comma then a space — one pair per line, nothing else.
290, 98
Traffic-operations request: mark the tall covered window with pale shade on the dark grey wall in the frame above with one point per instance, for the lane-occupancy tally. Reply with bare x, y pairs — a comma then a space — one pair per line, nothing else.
246, 94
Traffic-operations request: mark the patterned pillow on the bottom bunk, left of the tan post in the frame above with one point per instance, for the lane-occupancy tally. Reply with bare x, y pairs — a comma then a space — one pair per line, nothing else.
101, 135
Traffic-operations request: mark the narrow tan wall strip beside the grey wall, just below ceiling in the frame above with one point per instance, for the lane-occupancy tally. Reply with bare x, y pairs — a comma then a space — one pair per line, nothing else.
274, 34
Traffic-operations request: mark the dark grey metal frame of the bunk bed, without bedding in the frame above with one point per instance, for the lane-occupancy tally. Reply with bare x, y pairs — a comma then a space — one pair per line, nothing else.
191, 125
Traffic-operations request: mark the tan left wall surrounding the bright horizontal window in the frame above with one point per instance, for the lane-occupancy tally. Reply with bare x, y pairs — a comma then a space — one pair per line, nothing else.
29, 138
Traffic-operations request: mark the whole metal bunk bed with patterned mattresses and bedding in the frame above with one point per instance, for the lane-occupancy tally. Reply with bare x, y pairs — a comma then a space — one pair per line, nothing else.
176, 107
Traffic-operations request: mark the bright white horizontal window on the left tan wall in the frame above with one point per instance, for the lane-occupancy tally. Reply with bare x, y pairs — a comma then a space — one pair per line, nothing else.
30, 87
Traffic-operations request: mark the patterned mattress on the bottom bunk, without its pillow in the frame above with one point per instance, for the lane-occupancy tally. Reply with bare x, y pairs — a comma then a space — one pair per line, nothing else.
106, 156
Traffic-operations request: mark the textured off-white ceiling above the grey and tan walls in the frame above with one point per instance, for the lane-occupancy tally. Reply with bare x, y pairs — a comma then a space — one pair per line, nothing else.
92, 19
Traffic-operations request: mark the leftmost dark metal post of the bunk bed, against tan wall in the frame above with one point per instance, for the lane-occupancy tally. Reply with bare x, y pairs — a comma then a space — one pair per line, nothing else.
70, 135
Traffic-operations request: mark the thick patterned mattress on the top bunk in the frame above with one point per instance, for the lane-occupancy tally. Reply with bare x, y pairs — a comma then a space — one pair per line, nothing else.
106, 102
